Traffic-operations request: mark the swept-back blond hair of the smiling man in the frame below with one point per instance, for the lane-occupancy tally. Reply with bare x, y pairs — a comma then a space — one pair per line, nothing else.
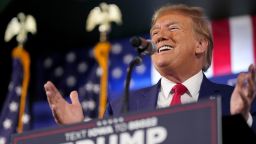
201, 25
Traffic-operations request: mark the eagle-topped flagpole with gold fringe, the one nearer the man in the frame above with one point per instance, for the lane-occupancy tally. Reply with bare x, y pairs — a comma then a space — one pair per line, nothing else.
103, 16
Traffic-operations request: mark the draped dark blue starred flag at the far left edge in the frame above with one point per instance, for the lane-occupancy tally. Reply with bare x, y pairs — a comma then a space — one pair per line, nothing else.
10, 113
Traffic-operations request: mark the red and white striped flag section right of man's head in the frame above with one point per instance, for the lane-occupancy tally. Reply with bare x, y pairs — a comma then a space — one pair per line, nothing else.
234, 45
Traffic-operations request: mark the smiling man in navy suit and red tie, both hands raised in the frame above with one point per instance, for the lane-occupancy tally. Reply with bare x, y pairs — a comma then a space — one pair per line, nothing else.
184, 51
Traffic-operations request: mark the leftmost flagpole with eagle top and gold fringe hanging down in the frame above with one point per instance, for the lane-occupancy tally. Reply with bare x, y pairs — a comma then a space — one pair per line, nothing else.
19, 27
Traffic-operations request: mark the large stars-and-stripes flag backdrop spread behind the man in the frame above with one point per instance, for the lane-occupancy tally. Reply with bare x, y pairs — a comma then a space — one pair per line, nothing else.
234, 50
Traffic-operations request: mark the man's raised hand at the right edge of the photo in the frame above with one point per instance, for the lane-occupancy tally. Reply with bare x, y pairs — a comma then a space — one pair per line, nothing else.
244, 93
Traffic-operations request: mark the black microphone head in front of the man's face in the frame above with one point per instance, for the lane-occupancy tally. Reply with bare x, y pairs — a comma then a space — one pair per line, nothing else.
143, 46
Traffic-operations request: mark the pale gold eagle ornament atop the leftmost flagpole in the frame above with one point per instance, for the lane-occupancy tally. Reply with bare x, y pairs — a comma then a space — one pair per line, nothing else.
20, 26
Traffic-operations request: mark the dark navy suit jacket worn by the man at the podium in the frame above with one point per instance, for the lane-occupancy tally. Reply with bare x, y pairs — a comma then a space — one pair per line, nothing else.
146, 99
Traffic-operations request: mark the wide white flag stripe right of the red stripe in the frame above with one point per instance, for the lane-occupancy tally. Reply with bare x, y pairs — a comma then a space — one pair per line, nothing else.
241, 43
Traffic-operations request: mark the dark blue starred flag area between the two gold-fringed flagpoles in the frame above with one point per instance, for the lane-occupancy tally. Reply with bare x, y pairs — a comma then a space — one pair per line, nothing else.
76, 70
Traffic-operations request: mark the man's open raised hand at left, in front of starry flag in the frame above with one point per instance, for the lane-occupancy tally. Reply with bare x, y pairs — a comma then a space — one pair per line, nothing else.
63, 112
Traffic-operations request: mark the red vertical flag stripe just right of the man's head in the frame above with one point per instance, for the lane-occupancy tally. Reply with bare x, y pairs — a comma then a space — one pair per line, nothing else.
221, 50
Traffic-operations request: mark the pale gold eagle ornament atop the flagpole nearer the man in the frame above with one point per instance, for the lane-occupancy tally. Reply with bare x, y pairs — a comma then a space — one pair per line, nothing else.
103, 15
